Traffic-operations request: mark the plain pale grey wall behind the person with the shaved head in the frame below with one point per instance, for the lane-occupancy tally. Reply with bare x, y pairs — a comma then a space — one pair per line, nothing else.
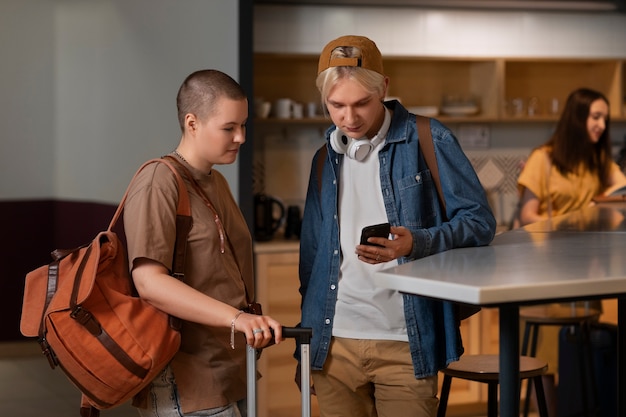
87, 88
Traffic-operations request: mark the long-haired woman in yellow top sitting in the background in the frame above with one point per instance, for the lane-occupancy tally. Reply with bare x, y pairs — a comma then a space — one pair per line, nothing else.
574, 165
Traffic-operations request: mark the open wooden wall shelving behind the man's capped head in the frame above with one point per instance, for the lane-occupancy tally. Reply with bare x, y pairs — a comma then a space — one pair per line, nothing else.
537, 84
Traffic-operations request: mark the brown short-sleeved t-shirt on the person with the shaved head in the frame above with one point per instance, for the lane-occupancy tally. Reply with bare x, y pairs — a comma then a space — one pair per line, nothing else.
208, 372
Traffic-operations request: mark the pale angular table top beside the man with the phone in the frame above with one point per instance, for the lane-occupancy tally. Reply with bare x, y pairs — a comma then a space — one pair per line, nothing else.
542, 262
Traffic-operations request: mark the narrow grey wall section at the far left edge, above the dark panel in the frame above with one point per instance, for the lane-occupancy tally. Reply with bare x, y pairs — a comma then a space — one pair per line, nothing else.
27, 98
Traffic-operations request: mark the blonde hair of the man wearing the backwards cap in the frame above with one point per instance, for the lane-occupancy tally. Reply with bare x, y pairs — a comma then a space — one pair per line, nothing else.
372, 81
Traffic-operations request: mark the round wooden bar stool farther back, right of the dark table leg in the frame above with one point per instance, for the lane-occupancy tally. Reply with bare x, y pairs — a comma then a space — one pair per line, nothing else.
570, 314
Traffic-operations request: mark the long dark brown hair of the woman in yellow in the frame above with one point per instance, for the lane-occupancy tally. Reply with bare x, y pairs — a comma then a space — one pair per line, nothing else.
570, 145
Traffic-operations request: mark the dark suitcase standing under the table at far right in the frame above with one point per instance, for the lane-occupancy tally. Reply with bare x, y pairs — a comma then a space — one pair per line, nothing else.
597, 372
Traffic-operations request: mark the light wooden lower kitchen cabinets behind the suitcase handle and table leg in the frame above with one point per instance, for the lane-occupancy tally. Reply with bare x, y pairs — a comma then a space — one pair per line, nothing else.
277, 290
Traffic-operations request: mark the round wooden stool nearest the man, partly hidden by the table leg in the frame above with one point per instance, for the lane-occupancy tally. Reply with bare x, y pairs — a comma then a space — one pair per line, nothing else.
486, 369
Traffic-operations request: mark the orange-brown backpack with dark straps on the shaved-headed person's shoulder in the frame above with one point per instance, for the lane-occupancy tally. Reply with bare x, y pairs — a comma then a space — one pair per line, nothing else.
83, 308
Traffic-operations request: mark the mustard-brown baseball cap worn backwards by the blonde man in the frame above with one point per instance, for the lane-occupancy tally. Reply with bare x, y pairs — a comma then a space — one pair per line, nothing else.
370, 59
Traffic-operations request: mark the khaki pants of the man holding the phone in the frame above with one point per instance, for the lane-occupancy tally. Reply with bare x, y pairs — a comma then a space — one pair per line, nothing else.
373, 378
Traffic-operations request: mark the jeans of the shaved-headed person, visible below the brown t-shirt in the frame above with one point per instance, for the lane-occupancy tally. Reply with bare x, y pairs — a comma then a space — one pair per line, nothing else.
163, 401
